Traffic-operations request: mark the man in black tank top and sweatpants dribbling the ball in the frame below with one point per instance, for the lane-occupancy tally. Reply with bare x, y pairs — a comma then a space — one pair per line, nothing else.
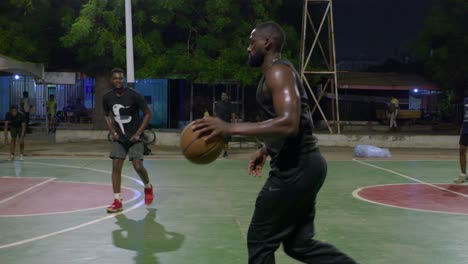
285, 207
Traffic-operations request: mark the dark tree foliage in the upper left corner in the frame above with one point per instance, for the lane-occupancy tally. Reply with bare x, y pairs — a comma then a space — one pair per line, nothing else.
31, 29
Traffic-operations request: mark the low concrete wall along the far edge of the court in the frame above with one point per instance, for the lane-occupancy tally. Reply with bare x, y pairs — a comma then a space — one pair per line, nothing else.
384, 141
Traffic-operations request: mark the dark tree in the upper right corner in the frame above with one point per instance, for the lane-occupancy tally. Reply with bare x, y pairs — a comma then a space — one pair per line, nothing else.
442, 48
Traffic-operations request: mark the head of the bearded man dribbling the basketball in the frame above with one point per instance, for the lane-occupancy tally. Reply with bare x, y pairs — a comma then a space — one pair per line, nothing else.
266, 38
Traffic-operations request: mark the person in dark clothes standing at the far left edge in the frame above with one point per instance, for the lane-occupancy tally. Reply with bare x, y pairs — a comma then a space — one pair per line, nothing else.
17, 123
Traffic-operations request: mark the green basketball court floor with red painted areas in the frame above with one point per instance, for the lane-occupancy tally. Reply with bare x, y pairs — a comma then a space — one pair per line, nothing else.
201, 213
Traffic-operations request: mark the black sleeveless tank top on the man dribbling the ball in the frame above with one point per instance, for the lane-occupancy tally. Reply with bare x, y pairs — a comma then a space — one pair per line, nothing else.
285, 151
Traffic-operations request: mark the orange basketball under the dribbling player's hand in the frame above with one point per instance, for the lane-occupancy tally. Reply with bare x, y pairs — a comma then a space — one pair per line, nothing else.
197, 150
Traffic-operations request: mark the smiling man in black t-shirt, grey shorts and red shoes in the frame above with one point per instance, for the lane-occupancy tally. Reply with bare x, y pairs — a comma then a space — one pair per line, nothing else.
122, 108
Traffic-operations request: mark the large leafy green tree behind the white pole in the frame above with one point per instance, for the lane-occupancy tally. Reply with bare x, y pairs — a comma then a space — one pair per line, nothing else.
205, 39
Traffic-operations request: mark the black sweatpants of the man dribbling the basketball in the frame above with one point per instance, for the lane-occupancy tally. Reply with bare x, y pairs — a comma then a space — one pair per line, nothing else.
285, 212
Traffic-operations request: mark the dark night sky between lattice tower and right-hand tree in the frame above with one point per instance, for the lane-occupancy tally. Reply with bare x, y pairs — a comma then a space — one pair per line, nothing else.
377, 28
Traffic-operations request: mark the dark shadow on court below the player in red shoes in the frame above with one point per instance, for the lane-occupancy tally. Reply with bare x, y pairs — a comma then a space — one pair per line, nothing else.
146, 236
